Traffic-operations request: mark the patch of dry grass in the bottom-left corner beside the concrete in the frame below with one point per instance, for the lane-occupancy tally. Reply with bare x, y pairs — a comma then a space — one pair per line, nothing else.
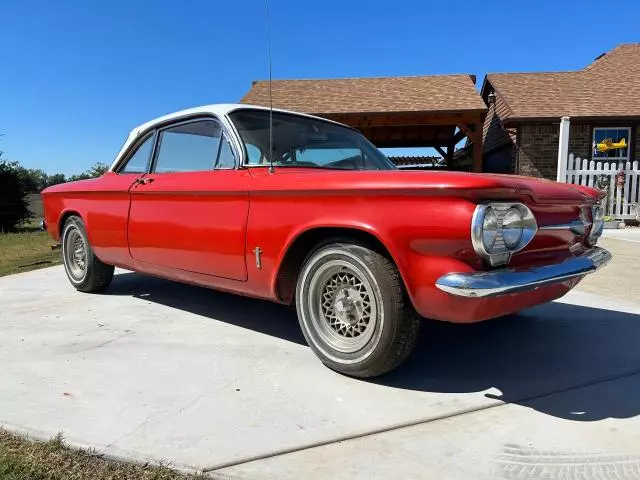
24, 459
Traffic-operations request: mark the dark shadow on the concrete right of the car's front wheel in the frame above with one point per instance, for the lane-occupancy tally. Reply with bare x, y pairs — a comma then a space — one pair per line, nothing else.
554, 347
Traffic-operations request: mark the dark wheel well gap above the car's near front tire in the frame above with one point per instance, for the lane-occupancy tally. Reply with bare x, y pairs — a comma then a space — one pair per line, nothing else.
310, 241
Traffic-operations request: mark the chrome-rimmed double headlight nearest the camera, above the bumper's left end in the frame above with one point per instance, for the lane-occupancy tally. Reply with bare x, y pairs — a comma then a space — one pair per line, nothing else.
500, 229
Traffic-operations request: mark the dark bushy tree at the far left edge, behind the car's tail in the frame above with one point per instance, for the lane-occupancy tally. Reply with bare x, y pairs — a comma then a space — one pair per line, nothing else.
14, 207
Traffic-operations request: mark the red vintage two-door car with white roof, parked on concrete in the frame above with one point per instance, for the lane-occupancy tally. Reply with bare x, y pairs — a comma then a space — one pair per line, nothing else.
295, 208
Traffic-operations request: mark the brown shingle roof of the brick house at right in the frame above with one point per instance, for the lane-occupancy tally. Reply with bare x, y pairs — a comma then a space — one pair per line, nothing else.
609, 87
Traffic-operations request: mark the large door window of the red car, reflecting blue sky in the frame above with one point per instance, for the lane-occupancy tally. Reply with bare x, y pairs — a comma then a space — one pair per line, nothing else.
190, 147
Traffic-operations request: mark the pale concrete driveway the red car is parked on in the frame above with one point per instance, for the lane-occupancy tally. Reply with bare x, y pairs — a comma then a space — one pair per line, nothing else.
162, 371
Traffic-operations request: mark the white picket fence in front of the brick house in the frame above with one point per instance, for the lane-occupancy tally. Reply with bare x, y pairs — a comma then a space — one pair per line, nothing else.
581, 171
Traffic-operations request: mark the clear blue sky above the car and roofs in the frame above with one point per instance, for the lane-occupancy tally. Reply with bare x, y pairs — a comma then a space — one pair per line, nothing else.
77, 75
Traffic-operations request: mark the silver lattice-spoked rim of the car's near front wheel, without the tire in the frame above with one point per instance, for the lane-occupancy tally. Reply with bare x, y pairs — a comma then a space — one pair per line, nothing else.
343, 306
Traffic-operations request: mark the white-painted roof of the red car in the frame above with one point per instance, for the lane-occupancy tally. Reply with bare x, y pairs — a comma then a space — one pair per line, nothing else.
221, 110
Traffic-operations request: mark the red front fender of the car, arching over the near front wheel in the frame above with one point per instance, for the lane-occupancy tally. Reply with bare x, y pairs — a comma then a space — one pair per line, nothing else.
416, 230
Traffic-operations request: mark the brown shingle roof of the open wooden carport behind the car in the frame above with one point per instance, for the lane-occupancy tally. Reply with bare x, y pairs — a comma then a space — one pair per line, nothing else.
440, 93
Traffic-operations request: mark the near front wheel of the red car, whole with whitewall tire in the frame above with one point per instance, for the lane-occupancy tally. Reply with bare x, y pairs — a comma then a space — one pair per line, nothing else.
354, 311
